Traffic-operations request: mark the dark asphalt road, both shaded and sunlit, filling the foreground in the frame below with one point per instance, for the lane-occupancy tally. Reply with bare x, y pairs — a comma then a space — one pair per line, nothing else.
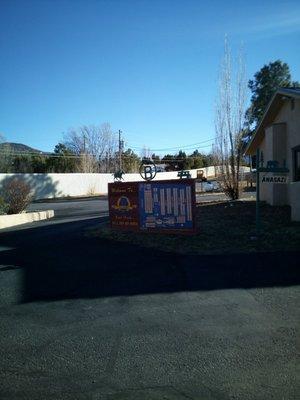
83, 318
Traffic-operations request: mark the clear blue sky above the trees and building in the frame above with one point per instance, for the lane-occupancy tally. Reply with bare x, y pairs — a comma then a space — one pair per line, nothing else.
148, 68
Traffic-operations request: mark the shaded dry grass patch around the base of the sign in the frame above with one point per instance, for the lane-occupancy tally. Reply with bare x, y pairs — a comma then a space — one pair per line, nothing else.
223, 227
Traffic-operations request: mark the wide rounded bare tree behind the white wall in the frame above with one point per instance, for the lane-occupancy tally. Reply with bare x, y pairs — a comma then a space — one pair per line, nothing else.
93, 144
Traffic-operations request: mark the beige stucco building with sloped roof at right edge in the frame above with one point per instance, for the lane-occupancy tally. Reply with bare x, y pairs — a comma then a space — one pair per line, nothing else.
278, 138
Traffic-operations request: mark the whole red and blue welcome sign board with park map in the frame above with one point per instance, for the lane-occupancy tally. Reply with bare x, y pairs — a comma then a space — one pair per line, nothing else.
155, 206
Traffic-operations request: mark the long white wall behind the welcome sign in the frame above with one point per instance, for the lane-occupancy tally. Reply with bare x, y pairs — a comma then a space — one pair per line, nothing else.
47, 186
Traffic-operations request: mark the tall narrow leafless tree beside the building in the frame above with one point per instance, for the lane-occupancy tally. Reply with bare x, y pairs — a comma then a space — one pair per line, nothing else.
229, 121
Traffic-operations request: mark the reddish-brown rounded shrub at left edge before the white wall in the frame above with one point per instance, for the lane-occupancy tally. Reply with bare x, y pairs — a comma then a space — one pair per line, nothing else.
17, 194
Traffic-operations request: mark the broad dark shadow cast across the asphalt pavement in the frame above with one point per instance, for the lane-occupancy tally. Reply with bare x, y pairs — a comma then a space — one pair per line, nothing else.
71, 265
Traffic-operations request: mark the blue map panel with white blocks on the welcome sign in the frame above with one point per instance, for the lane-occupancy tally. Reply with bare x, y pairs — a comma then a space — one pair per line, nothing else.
166, 205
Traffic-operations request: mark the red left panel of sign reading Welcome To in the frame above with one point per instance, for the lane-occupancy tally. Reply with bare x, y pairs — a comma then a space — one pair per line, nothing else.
123, 201
